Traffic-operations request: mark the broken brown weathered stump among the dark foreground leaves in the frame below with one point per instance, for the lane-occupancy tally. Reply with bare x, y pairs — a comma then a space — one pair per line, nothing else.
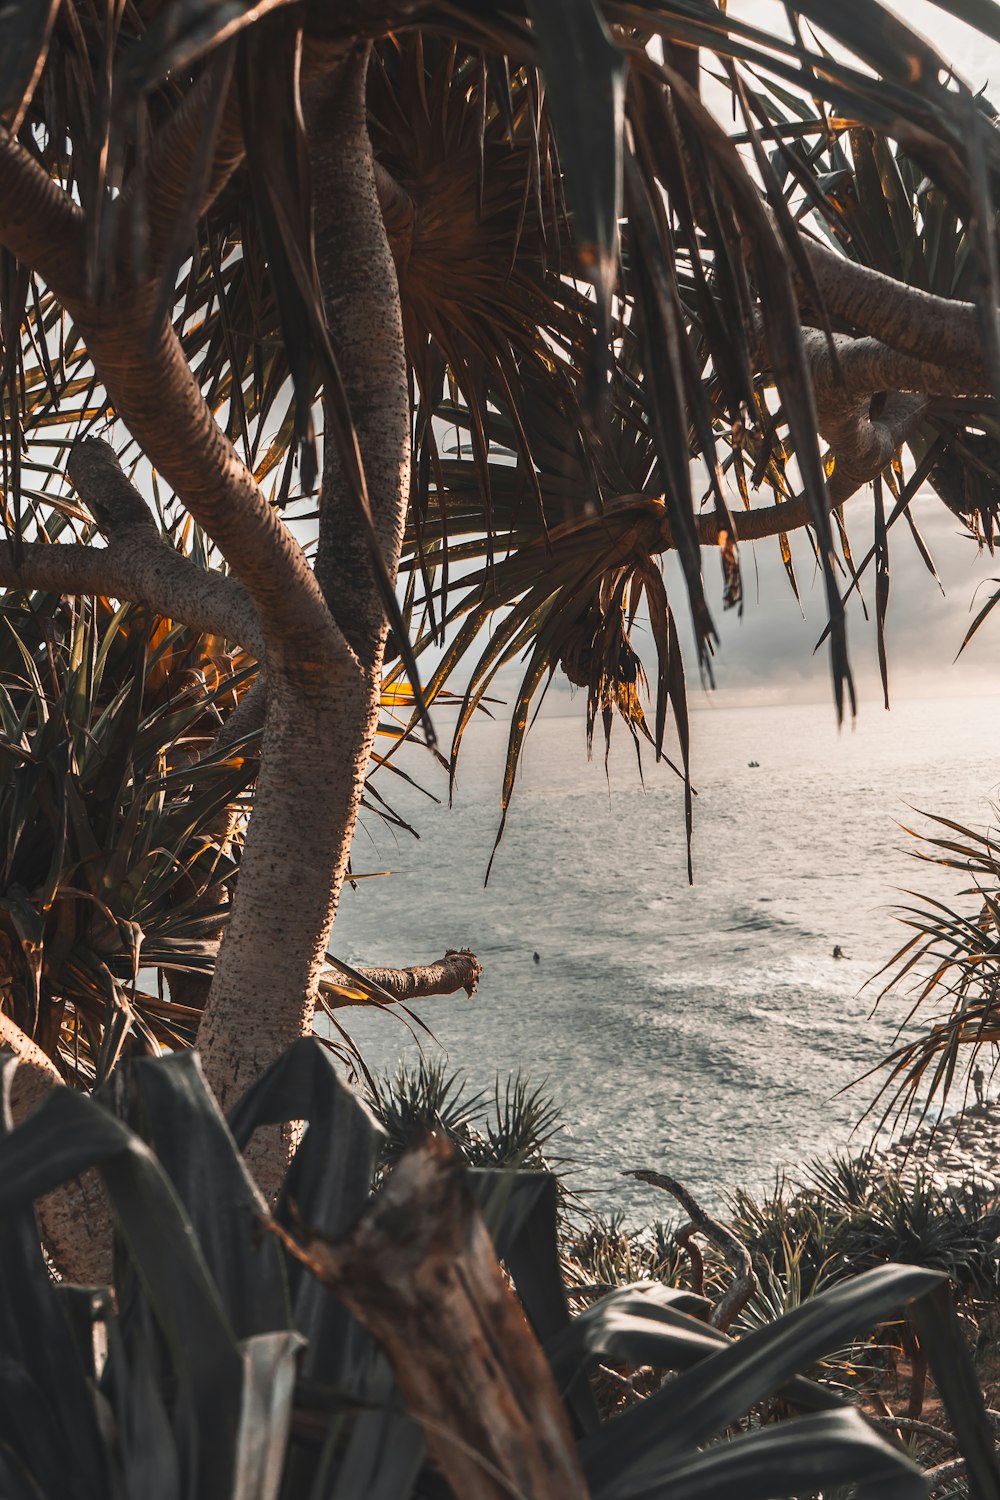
421, 1274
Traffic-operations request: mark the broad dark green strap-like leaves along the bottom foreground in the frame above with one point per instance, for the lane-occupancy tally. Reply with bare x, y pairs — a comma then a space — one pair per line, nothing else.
221, 1367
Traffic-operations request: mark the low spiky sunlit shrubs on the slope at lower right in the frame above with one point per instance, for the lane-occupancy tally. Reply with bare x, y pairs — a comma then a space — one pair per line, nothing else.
845, 1217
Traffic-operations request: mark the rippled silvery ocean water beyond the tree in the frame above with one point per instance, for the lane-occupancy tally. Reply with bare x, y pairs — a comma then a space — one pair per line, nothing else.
705, 1031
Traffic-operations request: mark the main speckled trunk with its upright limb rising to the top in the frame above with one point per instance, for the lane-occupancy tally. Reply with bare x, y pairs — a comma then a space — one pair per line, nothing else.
320, 719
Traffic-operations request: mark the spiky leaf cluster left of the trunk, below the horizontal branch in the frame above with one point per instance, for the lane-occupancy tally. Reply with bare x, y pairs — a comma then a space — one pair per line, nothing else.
116, 823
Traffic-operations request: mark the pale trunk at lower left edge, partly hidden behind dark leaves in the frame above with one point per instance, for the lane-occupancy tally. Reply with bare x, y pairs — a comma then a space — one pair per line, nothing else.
76, 1219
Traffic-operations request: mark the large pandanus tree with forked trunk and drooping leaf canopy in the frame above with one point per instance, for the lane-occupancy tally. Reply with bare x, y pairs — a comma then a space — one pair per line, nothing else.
283, 248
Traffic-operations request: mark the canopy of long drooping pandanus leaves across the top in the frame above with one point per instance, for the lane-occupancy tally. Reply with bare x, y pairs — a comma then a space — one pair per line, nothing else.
590, 272
